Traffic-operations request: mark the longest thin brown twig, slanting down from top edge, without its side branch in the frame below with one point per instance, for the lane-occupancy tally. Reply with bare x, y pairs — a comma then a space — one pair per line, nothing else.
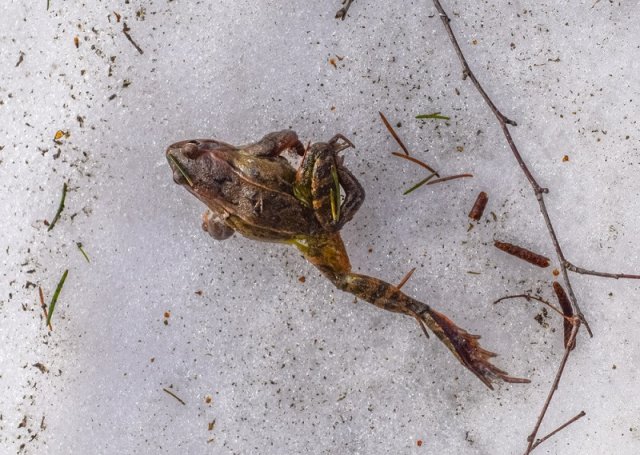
537, 189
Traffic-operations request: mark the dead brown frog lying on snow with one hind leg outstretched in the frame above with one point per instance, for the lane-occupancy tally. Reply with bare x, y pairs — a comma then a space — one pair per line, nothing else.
255, 190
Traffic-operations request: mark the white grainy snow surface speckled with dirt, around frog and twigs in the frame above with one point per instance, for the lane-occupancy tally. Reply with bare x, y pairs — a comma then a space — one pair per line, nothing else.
295, 367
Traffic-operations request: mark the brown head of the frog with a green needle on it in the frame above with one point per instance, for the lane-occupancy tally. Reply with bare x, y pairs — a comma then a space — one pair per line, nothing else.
200, 167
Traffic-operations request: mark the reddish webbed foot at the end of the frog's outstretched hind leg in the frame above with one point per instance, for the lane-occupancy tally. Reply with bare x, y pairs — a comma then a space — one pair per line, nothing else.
466, 348
